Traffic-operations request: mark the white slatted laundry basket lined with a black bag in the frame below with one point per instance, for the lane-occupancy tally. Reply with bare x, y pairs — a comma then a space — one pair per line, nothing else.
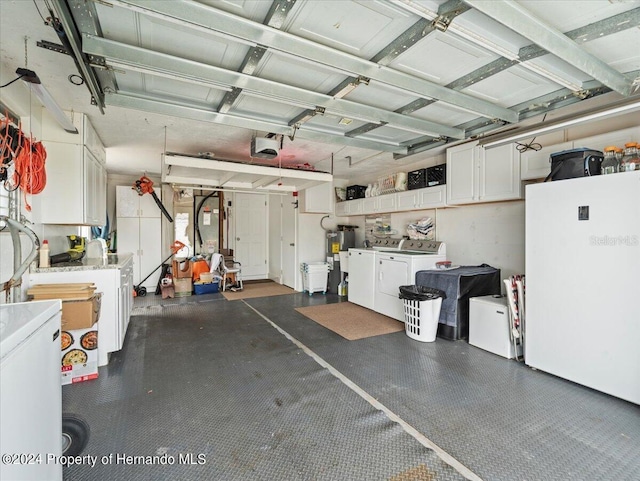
421, 311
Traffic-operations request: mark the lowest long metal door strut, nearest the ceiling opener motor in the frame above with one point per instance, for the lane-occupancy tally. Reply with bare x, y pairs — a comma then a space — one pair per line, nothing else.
200, 113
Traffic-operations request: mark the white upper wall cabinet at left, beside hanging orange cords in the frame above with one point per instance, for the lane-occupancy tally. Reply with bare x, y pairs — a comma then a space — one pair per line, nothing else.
76, 189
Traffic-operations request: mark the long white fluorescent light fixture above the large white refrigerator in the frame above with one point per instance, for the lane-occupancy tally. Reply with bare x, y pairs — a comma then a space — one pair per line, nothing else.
563, 122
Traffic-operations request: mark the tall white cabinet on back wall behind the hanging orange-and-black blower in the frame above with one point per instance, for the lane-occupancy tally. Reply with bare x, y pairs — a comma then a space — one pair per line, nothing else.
139, 227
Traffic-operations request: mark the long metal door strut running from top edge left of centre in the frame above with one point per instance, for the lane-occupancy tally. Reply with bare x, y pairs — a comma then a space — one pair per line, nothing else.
209, 19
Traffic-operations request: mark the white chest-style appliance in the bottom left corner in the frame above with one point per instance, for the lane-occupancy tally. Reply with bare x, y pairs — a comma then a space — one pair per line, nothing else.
30, 391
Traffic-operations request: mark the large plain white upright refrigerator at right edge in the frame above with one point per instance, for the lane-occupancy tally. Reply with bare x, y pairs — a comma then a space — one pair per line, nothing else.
583, 281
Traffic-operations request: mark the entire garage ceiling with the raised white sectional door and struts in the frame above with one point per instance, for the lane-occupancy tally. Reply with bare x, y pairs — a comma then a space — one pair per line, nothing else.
373, 84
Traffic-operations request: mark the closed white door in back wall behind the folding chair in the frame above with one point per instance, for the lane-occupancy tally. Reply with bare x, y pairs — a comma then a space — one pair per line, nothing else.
251, 218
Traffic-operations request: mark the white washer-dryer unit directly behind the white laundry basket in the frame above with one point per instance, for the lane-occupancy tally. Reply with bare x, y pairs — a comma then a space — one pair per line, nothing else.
395, 268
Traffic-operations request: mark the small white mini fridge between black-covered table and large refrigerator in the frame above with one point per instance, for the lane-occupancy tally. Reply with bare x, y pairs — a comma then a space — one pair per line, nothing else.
489, 325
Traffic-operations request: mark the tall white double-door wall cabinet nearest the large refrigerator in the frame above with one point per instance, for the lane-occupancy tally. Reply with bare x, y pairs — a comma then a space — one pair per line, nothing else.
476, 174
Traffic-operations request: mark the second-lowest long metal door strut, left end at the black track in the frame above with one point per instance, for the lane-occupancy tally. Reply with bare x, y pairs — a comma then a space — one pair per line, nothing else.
155, 63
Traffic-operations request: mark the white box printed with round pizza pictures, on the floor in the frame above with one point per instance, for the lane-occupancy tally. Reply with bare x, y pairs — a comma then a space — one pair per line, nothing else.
79, 358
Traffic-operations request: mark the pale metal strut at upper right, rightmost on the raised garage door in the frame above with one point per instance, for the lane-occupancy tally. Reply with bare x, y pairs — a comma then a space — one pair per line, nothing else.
522, 21
